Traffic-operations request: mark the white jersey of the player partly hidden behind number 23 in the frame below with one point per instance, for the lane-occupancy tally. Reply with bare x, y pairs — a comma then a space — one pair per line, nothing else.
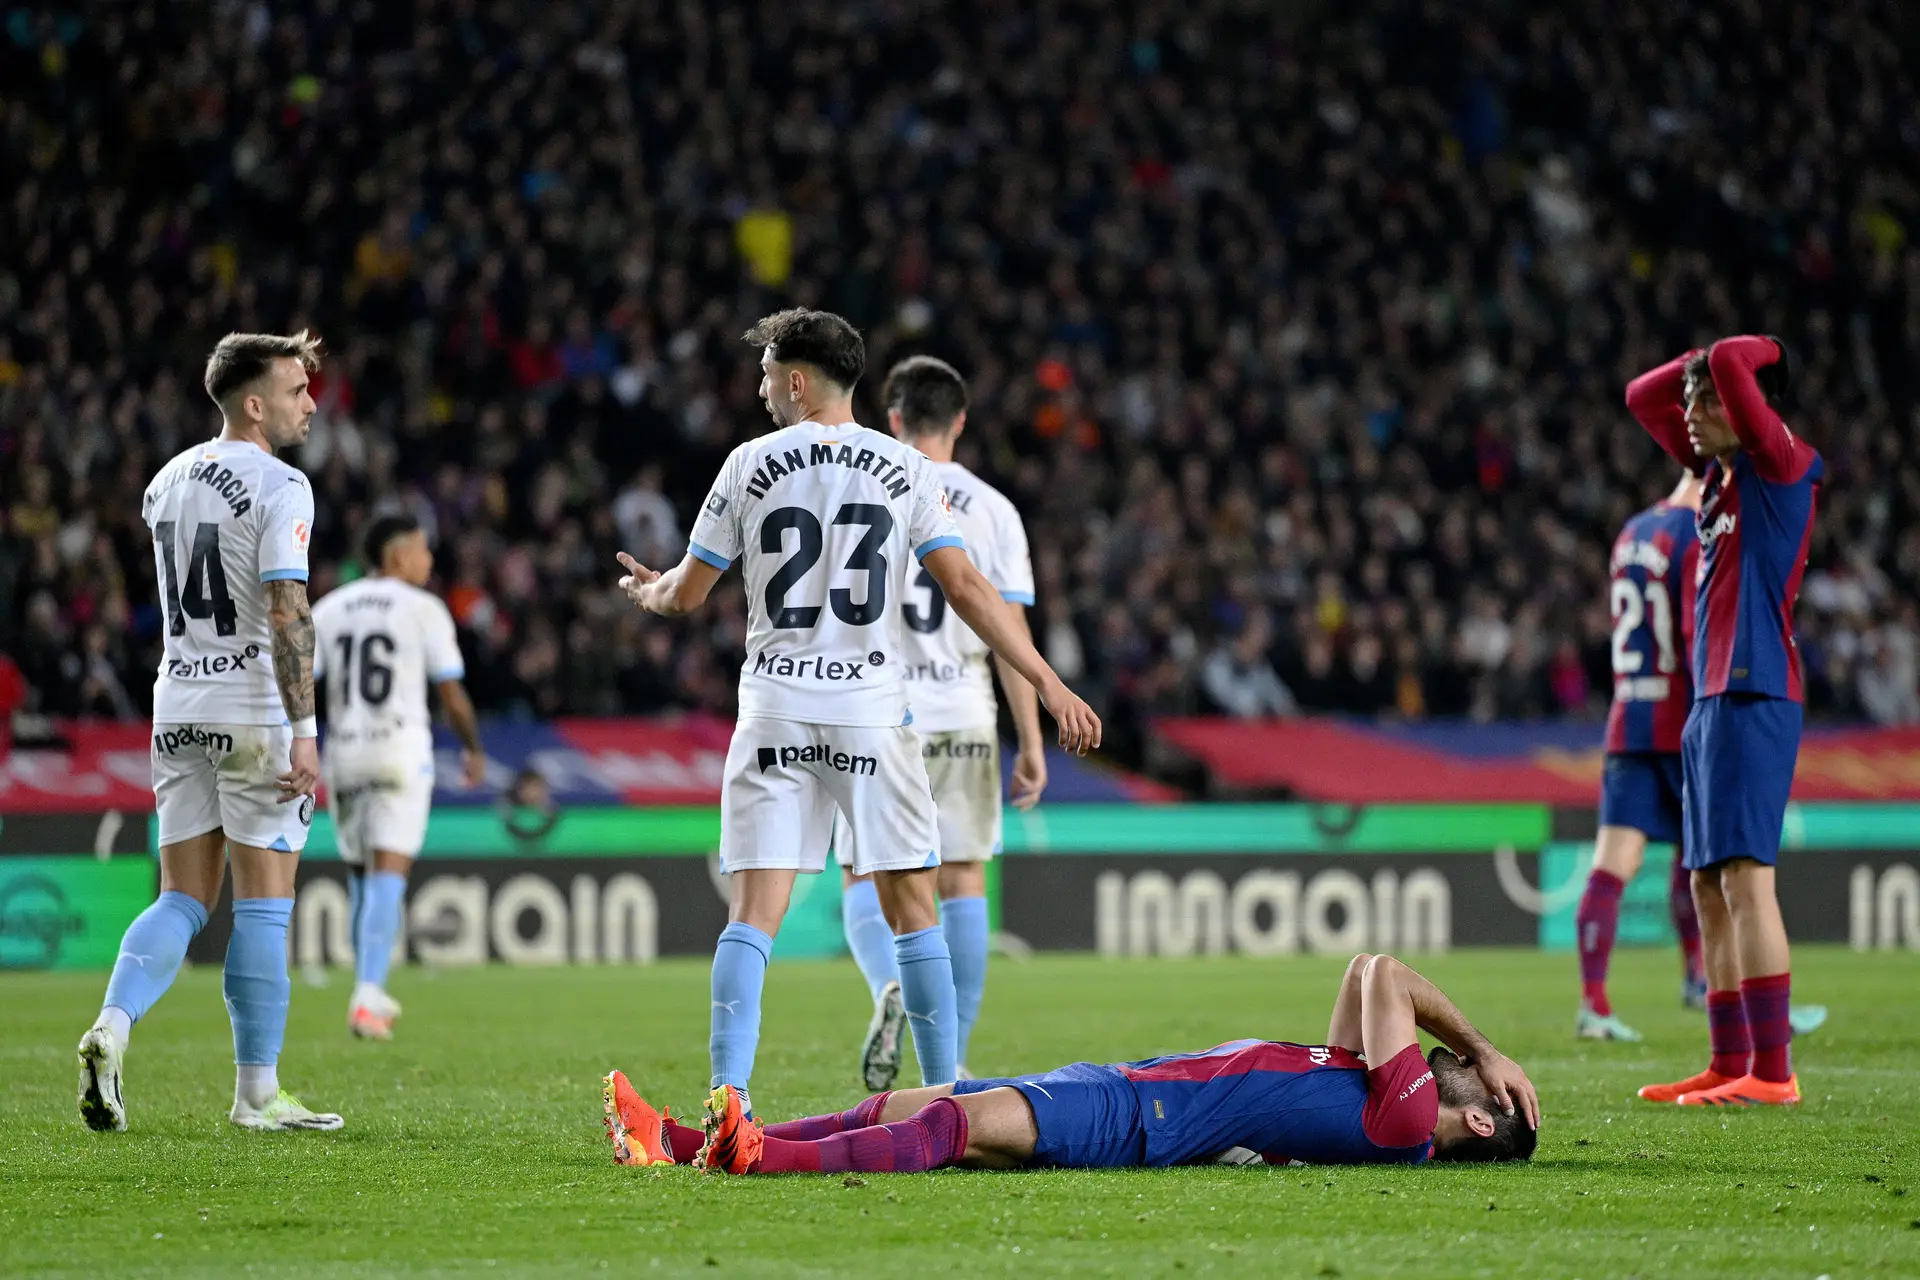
948, 678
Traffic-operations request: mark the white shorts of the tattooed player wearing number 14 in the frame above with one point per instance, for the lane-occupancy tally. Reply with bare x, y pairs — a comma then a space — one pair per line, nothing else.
226, 778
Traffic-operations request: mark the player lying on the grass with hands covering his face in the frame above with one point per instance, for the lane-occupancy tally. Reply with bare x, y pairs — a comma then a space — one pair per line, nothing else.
1366, 1097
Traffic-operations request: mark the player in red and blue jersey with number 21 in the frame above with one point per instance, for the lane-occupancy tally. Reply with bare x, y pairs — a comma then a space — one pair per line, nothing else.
1652, 600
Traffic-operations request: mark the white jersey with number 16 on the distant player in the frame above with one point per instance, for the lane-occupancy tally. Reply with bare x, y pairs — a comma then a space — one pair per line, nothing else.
379, 644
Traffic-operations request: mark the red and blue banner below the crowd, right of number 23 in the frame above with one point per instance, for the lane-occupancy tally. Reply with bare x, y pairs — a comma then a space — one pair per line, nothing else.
1358, 763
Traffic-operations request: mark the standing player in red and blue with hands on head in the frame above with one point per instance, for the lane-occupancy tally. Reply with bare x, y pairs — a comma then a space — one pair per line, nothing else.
1717, 412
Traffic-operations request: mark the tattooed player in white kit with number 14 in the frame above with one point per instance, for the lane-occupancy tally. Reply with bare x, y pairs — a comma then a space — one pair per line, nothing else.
235, 755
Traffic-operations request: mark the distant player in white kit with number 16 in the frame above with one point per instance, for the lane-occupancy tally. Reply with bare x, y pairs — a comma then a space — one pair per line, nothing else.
381, 642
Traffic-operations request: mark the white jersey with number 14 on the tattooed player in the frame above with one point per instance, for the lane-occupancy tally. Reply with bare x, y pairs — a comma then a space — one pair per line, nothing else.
228, 517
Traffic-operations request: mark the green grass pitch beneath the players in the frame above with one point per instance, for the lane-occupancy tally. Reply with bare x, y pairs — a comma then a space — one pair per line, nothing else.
473, 1143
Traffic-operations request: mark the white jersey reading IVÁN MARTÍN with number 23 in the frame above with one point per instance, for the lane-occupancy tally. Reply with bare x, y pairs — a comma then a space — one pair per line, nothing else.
827, 521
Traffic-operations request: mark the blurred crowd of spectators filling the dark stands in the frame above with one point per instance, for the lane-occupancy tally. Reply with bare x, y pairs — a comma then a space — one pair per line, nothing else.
1299, 337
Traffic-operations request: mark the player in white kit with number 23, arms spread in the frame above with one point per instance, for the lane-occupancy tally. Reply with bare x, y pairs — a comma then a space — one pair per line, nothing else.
825, 517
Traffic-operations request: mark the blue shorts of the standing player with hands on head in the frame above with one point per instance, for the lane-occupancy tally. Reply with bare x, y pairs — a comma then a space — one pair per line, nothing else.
1739, 757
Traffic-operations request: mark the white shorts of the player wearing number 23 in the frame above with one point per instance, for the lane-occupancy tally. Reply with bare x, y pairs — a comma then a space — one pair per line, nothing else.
788, 780
